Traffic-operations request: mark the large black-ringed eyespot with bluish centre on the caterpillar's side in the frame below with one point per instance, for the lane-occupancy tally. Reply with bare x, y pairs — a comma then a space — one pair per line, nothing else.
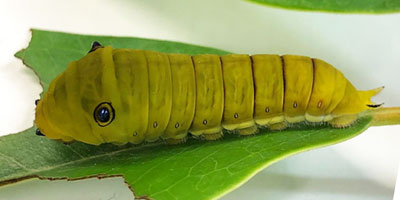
104, 114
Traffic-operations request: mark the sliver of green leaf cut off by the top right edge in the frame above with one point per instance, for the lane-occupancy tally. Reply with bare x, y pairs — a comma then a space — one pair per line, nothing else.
342, 6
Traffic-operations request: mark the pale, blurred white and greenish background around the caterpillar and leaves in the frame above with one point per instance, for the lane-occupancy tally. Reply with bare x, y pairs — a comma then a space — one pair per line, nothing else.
366, 48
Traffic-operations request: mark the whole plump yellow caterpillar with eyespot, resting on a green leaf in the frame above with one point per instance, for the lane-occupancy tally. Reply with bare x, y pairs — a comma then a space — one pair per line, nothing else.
126, 95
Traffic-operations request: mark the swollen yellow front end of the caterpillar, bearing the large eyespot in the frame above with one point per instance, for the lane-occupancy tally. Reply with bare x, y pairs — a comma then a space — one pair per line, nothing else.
82, 103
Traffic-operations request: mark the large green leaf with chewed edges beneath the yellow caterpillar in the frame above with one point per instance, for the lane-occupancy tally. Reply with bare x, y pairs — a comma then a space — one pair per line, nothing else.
193, 170
